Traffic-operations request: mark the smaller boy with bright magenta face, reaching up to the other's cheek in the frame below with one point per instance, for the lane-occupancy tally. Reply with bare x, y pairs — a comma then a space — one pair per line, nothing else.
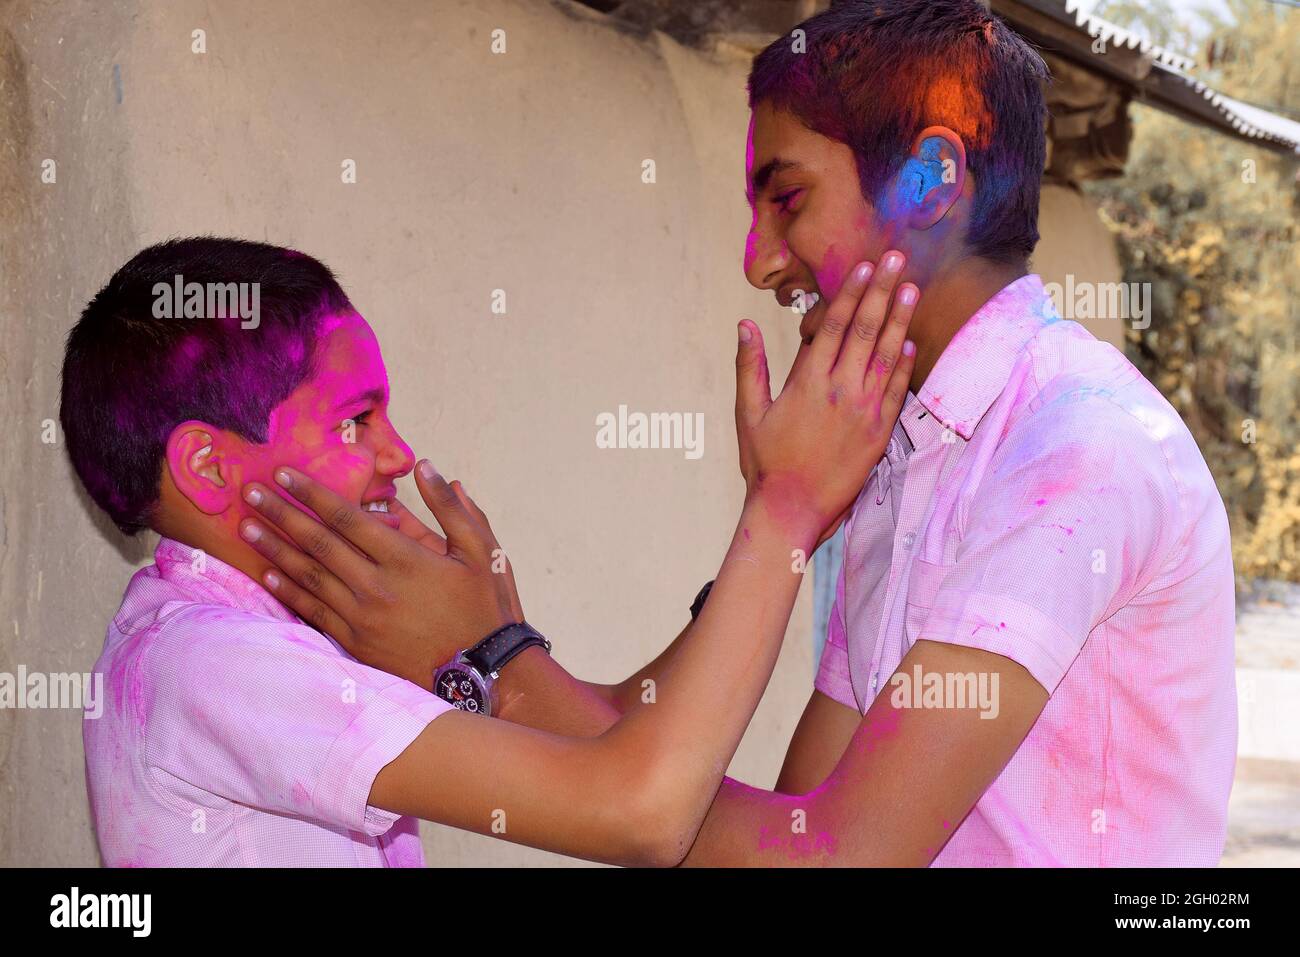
237, 735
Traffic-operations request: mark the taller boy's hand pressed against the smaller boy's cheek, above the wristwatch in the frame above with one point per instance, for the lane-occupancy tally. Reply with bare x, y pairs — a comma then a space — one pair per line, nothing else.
405, 601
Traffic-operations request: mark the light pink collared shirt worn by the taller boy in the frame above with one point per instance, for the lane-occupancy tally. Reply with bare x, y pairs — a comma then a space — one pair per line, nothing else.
1067, 521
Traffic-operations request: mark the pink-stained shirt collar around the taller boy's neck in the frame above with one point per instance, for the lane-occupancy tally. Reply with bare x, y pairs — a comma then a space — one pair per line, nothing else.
977, 365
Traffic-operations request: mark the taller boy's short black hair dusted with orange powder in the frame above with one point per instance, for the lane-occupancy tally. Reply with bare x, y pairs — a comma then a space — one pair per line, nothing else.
876, 73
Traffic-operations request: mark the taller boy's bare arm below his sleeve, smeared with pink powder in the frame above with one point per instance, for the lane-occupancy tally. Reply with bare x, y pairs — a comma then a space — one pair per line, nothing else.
902, 786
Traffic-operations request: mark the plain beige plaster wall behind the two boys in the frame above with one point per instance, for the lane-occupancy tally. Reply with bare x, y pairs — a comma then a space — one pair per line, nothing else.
476, 172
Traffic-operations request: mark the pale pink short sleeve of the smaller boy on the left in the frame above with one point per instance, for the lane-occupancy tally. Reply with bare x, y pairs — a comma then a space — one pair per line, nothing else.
274, 716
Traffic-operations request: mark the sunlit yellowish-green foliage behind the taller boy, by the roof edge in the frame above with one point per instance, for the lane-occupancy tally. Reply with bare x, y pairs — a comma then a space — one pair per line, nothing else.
1211, 223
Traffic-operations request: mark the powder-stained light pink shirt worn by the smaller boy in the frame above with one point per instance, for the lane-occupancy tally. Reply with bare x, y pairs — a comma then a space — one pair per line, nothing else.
235, 735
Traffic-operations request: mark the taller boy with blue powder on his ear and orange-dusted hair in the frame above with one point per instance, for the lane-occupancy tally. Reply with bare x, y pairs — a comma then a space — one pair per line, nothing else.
1030, 660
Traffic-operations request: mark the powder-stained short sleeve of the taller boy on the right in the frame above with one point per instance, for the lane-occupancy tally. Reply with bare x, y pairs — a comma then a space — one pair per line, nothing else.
1078, 508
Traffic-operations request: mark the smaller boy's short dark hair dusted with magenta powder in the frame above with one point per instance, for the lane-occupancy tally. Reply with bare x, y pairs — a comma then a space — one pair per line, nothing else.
131, 376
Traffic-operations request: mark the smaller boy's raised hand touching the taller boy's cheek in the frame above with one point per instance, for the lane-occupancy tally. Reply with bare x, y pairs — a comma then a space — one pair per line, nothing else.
808, 454
